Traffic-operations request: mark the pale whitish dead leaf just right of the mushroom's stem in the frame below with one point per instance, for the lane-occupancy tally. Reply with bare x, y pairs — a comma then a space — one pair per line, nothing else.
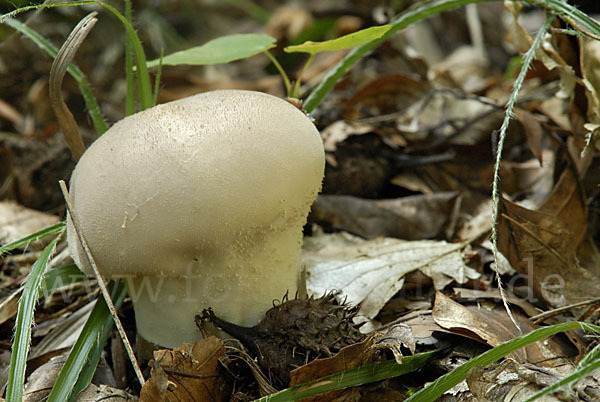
370, 272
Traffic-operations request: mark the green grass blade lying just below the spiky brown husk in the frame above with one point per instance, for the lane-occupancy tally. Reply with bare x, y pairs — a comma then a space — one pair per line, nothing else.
351, 378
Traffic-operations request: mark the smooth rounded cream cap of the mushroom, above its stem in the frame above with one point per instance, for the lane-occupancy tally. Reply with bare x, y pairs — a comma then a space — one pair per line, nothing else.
186, 180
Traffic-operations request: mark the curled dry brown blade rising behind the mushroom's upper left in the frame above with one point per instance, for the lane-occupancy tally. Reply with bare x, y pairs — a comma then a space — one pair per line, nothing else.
63, 59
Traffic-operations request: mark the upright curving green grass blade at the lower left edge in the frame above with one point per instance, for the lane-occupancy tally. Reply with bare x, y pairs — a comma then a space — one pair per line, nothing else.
23, 323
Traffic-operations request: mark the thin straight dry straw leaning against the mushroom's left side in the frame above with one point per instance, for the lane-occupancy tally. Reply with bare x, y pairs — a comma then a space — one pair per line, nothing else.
105, 293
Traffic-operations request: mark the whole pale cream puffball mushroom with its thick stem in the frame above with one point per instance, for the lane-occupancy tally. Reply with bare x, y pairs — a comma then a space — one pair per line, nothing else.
199, 203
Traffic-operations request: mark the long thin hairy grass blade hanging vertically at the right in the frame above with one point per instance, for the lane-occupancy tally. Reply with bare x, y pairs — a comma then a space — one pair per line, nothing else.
502, 137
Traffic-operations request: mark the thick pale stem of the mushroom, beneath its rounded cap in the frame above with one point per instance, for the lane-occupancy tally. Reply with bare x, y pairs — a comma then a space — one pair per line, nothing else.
239, 288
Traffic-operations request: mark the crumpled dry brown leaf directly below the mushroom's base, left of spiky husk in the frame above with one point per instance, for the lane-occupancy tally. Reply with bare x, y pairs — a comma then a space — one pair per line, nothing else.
188, 373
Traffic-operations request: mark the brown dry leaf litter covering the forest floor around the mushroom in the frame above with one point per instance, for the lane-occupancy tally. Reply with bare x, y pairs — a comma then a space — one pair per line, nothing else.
402, 228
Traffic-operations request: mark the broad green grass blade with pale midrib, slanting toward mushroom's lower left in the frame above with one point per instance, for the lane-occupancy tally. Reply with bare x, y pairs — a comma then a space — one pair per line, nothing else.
83, 359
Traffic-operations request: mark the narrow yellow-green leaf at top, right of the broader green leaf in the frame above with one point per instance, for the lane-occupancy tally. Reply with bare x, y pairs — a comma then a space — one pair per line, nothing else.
344, 42
